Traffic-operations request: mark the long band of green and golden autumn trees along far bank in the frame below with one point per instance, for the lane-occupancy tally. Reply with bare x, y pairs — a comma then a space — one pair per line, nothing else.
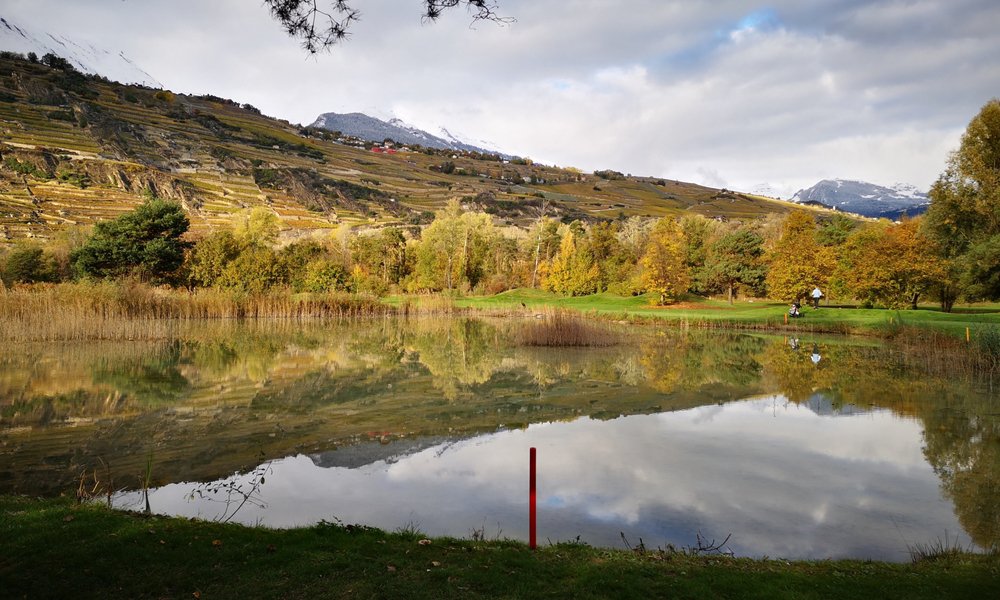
949, 255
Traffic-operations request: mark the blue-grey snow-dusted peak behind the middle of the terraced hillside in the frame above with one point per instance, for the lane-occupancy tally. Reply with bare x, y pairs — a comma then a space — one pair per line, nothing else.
362, 126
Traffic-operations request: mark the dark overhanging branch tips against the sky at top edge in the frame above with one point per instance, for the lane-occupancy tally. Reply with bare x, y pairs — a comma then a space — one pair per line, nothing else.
320, 28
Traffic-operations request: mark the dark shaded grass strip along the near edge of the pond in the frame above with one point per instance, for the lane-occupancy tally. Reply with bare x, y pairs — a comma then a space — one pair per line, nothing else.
57, 549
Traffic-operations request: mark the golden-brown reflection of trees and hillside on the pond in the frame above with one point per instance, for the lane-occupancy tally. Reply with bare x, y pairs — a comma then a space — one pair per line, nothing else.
210, 404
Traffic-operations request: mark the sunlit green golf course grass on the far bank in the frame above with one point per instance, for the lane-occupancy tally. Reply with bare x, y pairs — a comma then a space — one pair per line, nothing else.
754, 315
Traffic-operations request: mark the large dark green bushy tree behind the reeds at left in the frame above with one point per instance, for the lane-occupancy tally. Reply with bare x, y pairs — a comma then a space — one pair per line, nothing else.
145, 242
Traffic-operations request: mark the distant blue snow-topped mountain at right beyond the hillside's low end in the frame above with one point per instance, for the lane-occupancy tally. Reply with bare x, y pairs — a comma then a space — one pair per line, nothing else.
866, 199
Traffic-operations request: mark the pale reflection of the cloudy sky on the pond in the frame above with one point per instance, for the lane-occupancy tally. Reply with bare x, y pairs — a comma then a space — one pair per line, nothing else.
786, 480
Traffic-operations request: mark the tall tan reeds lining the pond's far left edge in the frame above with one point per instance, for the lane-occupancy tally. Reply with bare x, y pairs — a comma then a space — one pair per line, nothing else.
134, 311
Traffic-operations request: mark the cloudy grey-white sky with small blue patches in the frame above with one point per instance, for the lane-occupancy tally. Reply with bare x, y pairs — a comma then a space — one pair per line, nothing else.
728, 93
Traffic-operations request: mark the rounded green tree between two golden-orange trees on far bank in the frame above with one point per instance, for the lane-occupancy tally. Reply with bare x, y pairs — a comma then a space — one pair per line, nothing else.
736, 261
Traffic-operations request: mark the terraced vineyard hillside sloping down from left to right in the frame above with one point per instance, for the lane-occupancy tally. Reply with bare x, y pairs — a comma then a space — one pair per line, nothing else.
77, 148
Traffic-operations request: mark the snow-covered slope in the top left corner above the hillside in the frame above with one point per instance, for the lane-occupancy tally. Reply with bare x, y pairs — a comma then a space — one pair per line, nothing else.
83, 55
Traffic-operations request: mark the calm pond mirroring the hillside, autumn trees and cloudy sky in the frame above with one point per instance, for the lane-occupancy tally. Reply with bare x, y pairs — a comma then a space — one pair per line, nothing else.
803, 447
